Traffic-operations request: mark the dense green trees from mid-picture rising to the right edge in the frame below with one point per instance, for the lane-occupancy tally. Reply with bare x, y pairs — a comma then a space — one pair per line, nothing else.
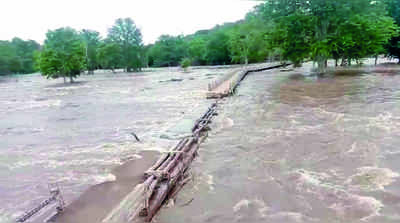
293, 30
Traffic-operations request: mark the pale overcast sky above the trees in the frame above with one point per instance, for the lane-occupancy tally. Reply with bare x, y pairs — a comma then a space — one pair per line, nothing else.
30, 19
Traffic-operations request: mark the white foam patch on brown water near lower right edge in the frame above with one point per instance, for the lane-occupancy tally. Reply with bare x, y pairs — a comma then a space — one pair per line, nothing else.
372, 178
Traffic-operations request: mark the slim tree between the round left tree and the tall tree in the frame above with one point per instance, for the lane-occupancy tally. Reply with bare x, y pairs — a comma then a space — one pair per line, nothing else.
91, 39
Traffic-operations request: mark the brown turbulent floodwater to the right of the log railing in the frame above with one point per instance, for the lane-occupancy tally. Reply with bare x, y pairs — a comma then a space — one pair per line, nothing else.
291, 147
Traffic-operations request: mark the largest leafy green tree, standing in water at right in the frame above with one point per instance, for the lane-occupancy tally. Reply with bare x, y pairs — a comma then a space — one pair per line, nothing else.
319, 29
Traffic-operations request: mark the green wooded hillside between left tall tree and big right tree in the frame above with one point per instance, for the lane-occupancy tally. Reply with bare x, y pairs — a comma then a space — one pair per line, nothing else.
241, 42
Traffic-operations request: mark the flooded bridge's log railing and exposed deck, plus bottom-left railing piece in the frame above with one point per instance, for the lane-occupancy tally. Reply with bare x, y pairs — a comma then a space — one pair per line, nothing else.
169, 174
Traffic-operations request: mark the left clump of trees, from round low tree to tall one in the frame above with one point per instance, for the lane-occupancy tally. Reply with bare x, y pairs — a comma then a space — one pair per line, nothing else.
66, 52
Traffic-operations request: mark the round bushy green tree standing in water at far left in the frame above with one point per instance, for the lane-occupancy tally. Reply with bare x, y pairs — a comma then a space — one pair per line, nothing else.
63, 54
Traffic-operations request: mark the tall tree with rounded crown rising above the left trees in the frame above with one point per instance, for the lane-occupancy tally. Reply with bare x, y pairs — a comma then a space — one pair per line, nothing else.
128, 37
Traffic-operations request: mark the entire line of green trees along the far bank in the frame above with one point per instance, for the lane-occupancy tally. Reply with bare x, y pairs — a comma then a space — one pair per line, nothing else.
286, 30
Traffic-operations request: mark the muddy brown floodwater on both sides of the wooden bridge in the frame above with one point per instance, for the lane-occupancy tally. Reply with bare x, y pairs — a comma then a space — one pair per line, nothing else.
288, 147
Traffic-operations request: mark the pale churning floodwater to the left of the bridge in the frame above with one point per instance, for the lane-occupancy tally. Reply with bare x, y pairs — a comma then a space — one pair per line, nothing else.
76, 134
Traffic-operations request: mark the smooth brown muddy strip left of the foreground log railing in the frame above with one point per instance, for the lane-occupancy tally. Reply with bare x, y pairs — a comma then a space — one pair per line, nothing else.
99, 200
